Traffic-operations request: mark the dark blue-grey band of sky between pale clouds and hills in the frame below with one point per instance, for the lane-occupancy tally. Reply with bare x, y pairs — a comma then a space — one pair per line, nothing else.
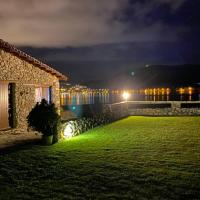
107, 62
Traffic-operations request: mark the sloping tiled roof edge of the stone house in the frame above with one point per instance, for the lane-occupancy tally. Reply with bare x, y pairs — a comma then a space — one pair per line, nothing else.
13, 50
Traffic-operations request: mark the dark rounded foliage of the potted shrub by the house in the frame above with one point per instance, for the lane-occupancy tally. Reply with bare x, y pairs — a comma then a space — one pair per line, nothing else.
45, 119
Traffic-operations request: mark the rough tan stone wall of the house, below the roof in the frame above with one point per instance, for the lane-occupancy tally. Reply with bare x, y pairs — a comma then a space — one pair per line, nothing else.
26, 76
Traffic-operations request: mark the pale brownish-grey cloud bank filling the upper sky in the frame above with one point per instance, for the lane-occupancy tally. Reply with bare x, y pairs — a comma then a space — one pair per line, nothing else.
83, 22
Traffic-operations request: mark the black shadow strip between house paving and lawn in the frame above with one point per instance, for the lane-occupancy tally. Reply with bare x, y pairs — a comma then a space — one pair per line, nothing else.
21, 145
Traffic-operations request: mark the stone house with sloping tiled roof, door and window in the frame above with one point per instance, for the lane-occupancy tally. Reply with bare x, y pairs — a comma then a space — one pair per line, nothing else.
24, 81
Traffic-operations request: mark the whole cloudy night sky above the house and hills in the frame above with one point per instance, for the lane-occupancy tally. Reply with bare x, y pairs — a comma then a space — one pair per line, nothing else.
93, 40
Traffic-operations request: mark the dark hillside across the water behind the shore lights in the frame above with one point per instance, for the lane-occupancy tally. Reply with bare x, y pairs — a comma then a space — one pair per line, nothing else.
152, 76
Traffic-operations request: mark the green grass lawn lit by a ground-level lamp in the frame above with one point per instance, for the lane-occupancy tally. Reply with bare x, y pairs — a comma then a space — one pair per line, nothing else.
134, 158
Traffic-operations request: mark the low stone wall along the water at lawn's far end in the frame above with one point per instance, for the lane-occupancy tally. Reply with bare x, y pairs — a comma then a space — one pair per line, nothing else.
155, 108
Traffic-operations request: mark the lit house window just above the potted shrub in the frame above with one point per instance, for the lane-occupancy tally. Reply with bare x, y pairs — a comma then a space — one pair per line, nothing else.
43, 93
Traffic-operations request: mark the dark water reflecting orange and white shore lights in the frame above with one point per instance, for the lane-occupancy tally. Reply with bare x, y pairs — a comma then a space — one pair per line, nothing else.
102, 98
